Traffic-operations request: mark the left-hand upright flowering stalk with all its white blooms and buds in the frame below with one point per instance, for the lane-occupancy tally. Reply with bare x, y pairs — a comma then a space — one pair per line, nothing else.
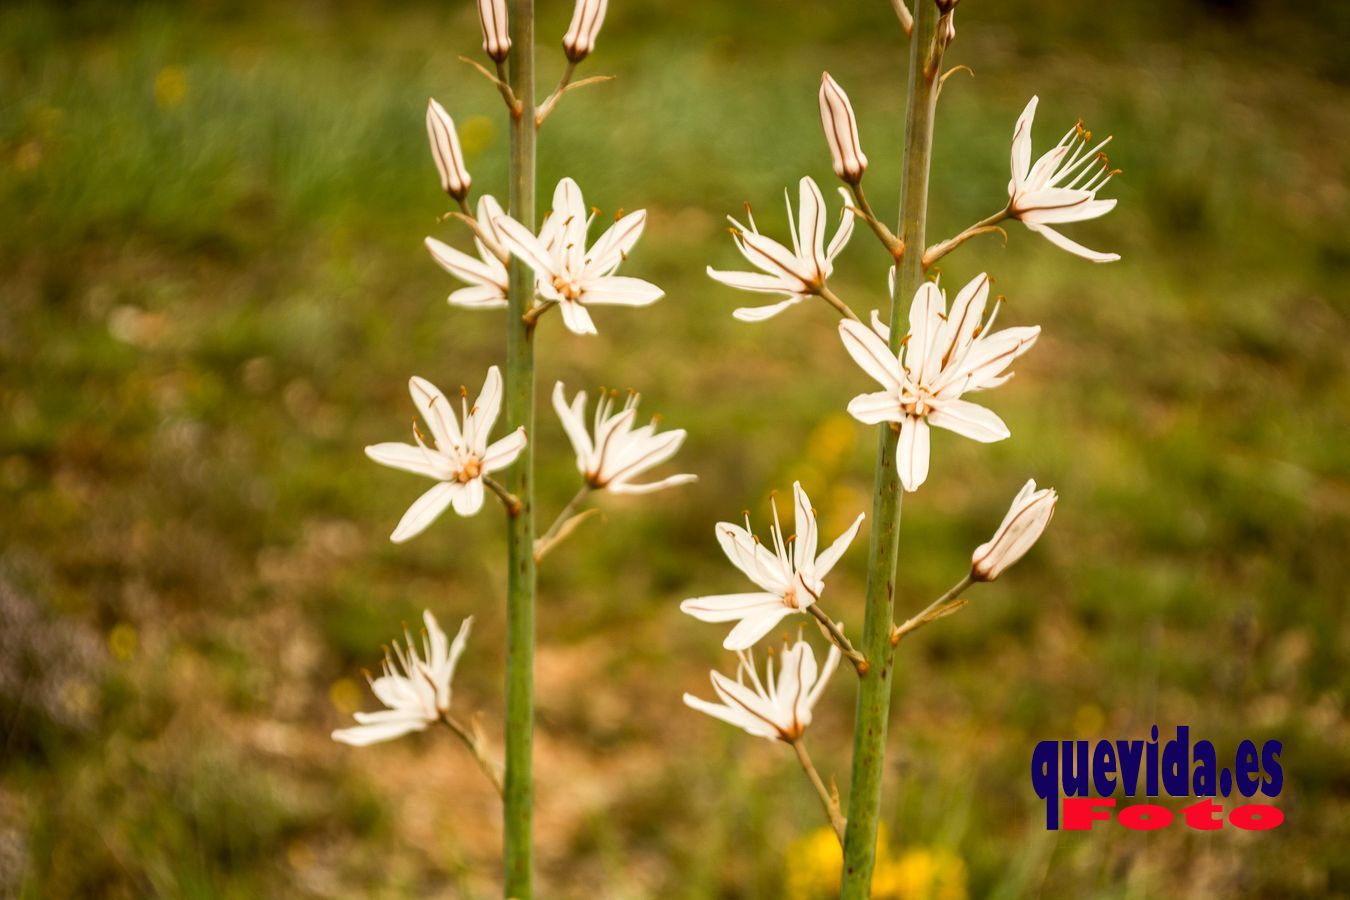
527, 275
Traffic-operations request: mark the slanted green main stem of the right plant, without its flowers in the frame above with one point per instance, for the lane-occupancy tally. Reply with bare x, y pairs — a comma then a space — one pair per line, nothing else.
874, 697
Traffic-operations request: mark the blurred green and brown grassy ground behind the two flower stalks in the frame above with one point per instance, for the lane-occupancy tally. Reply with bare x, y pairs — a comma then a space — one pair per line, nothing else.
213, 296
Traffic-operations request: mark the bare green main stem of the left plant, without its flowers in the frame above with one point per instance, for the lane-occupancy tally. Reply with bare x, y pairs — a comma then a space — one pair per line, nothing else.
520, 538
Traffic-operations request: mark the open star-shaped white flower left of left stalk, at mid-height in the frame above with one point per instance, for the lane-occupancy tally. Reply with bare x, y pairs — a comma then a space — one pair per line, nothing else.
458, 459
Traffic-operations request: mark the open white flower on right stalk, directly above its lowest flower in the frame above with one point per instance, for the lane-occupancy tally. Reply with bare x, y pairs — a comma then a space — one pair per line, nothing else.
790, 580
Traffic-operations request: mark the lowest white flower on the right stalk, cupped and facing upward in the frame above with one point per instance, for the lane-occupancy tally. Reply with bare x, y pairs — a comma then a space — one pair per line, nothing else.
780, 710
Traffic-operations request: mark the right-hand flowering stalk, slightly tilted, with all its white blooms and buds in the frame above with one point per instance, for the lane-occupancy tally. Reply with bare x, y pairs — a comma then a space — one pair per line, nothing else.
925, 358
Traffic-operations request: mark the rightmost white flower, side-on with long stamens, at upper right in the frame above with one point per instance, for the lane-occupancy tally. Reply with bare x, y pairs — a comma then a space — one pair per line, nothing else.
1062, 187
